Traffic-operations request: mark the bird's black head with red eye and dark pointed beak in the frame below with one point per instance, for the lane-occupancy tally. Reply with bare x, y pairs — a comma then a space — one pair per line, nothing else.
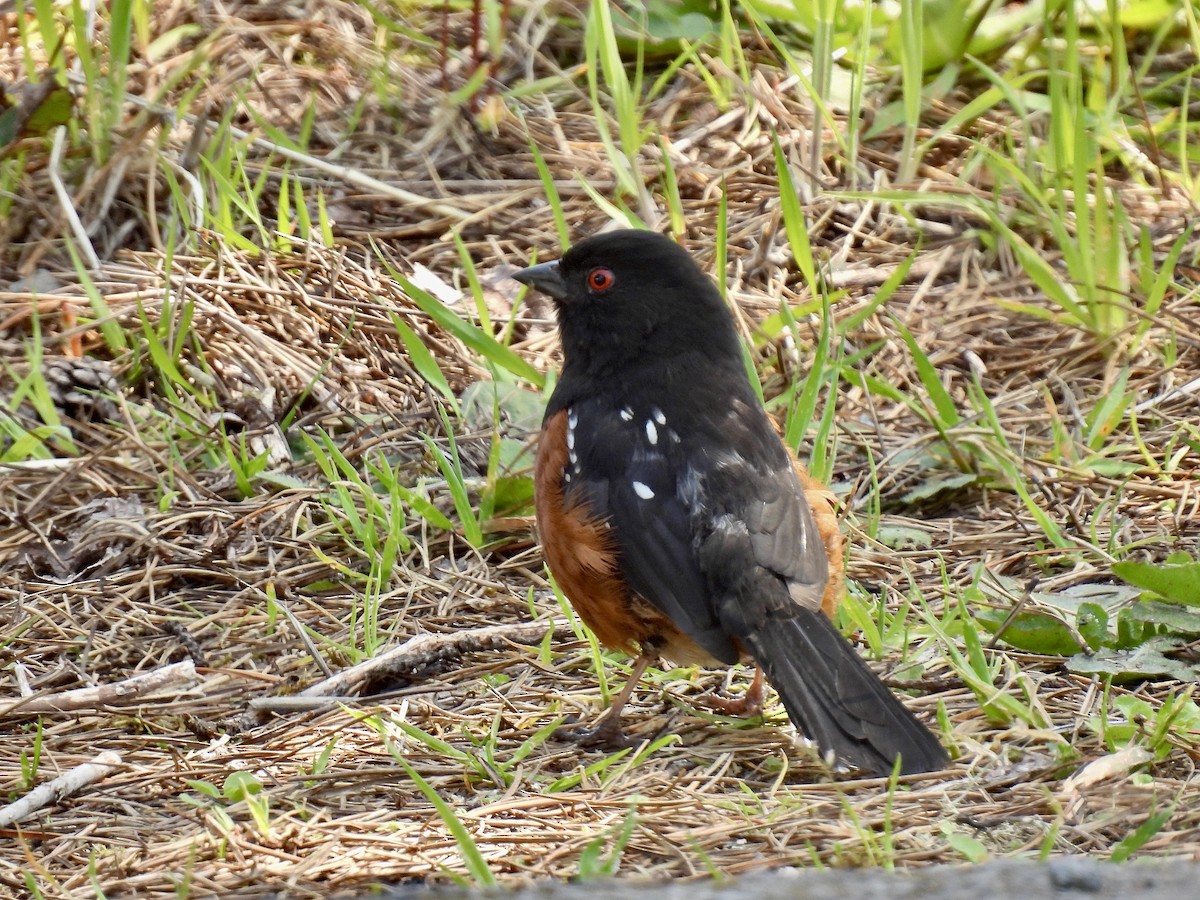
633, 297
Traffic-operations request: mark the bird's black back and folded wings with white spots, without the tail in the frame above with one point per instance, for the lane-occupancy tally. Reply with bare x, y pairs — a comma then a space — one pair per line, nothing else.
700, 505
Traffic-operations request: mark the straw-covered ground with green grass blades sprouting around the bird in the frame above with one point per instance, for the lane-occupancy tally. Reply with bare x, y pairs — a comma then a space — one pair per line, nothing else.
319, 389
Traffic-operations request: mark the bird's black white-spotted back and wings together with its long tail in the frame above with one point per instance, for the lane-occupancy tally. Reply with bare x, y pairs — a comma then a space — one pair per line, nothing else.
715, 531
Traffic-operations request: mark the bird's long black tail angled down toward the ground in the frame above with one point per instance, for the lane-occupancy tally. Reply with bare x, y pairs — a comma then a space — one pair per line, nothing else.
836, 700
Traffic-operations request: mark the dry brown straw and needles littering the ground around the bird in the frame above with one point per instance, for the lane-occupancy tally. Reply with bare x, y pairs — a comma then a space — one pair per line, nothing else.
139, 550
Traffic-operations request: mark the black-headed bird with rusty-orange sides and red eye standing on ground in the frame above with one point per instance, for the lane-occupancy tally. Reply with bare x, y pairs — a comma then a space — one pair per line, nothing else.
675, 519
